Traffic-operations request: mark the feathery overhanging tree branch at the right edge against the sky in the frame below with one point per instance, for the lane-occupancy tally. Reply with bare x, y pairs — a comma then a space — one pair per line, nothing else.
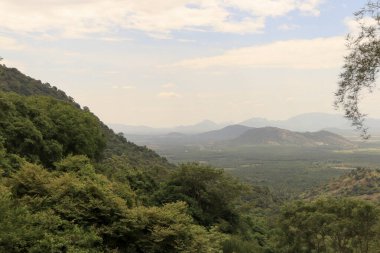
361, 65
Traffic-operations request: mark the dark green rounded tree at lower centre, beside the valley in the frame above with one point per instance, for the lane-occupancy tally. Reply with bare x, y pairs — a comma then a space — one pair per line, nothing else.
210, 193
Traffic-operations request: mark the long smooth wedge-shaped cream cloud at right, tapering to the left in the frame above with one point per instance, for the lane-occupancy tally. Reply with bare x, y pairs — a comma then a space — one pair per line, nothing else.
319, 53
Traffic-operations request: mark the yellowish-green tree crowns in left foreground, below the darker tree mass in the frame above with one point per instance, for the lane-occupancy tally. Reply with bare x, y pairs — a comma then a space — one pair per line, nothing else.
83, 196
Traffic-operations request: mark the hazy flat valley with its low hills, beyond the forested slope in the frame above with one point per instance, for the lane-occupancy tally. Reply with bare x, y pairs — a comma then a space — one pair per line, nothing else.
287, 162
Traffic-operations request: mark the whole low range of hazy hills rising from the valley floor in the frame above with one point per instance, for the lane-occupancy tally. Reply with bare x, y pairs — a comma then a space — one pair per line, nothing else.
239, 135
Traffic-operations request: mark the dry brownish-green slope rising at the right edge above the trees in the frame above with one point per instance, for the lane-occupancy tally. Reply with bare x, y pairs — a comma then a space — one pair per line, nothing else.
359, 183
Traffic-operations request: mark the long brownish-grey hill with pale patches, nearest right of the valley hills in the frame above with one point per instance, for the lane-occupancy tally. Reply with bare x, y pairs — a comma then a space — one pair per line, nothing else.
278, 136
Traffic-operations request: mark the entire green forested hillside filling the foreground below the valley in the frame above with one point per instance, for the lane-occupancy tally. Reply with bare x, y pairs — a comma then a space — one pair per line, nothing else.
70, 184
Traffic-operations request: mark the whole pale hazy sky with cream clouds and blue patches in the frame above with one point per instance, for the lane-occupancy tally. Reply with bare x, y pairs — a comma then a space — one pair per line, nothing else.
172, 62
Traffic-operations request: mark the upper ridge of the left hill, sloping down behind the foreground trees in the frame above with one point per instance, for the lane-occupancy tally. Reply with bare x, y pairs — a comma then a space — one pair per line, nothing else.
12, 80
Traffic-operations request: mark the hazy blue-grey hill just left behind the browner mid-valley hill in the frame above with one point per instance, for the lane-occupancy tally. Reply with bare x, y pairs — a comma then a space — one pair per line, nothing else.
226, 133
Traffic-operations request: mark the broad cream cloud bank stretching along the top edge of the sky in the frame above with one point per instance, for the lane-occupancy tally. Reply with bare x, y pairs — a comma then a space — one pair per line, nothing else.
79, 18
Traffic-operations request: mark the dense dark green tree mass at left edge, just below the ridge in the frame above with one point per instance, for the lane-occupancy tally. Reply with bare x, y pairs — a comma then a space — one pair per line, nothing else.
43, 129
